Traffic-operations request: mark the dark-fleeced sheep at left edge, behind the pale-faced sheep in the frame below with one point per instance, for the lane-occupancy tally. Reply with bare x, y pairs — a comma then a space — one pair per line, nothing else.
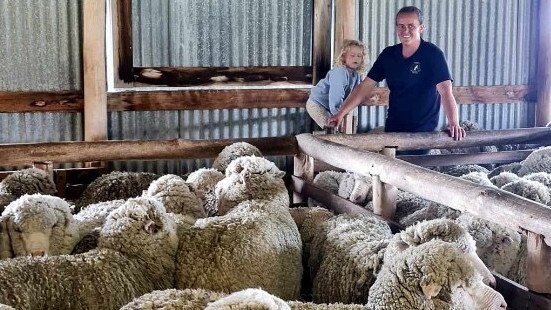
28, 181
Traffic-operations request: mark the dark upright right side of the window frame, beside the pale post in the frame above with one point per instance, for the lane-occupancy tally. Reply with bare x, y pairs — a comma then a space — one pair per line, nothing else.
321, 57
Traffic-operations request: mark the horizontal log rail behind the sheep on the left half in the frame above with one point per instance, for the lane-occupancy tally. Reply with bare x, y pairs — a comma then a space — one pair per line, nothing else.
65, 152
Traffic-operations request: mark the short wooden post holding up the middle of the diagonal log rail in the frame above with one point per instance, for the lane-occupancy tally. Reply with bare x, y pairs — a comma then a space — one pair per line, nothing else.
384, 195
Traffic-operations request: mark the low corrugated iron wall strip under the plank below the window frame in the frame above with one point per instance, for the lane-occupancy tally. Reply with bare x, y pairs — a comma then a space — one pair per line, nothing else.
204, 124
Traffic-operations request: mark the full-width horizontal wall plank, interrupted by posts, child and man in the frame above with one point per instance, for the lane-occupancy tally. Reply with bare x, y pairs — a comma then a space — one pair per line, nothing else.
73, 101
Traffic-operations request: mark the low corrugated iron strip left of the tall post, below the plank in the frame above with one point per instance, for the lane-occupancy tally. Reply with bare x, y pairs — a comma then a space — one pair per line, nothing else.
40, 127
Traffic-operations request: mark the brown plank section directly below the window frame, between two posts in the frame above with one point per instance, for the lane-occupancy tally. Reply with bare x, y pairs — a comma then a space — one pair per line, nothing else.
208, 100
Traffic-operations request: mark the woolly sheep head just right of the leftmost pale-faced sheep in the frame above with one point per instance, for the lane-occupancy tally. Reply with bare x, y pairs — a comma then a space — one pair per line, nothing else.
139, 228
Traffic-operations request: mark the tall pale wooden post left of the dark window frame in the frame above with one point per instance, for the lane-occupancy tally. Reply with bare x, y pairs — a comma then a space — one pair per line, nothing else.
95, 81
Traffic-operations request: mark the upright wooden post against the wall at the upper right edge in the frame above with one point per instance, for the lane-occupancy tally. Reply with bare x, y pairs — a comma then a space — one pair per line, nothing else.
543, 108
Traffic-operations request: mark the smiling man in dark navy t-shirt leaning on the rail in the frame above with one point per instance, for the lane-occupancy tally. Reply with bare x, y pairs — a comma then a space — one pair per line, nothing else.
419, 80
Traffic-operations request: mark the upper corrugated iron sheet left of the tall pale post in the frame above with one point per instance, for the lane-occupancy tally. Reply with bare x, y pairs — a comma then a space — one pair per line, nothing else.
40, 45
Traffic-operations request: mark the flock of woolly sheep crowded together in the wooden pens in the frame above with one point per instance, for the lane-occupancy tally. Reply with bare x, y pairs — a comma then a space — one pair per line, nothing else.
225, 238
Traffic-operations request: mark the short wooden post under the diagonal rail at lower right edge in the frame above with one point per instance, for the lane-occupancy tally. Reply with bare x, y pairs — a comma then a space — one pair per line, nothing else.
538, 264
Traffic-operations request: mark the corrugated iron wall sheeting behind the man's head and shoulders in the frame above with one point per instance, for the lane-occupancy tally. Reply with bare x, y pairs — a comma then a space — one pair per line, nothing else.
486, 42
